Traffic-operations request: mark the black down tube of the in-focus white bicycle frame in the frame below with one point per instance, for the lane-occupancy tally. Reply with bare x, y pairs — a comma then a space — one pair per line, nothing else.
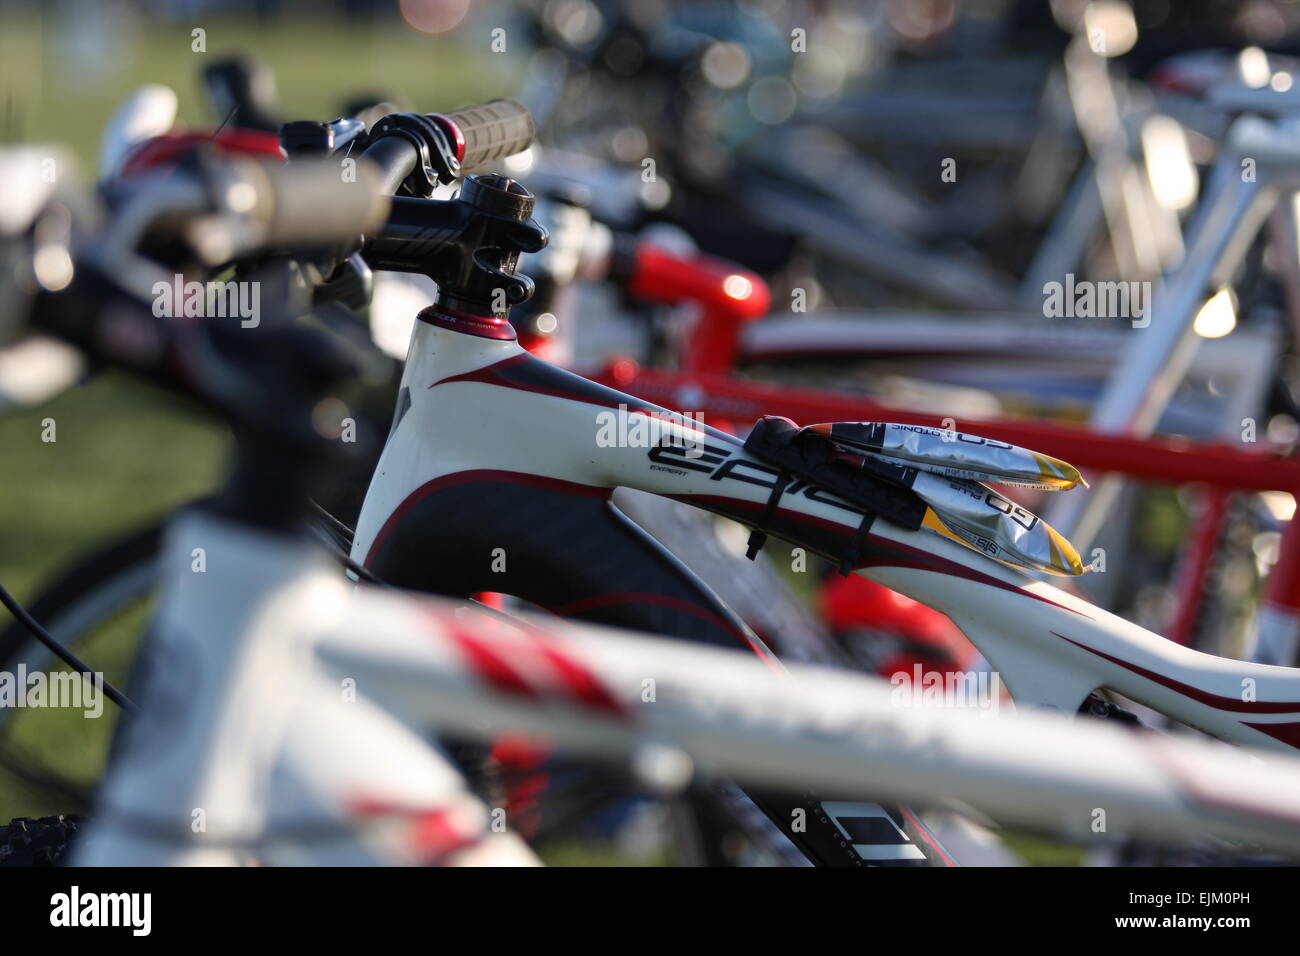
583, 559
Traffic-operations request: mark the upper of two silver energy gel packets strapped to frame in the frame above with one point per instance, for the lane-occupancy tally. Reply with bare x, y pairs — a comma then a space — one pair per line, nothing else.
955, 455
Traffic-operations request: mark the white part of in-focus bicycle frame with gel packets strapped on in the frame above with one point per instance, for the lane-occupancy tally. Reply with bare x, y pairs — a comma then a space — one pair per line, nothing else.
486, 408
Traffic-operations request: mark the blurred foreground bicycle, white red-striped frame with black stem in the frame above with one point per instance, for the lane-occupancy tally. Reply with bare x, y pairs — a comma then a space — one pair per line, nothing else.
279, 789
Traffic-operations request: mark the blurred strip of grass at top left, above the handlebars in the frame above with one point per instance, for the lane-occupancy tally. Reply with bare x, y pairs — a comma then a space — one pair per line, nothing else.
320, 63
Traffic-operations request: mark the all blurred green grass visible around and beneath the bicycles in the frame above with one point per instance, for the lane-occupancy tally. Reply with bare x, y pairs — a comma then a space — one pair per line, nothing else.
127, 455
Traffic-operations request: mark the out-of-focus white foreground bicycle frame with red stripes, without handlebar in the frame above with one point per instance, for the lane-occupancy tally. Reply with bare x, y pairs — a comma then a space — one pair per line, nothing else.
253, 745
